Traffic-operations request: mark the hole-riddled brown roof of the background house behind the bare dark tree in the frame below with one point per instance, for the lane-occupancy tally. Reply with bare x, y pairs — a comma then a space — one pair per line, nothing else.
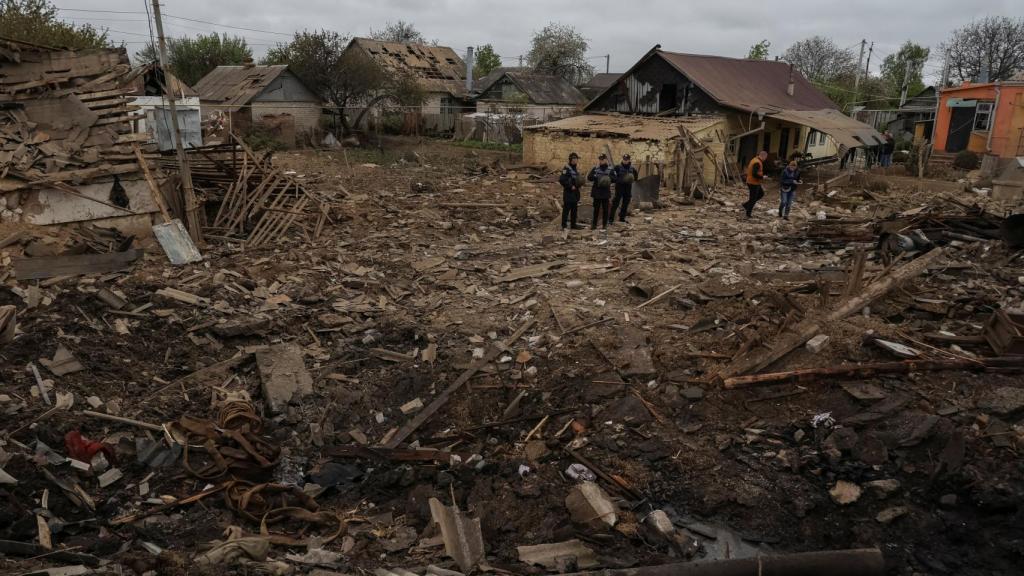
439, 68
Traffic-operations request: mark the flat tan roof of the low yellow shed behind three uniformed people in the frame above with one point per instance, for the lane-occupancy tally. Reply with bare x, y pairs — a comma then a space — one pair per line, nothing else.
645, 129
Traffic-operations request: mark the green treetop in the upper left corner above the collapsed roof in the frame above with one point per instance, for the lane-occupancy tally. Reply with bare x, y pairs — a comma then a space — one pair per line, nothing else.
36, 22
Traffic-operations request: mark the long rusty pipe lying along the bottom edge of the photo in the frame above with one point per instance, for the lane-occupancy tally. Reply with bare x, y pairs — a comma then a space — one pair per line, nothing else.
864, 562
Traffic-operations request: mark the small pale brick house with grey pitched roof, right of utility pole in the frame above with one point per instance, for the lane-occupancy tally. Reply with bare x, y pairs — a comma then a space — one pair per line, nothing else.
272, 96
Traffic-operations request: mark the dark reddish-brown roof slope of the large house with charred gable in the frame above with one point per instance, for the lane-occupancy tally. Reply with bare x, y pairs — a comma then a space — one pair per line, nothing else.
748, 85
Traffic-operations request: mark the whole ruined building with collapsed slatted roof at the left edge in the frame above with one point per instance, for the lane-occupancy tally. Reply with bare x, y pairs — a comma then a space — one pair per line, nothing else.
69, 151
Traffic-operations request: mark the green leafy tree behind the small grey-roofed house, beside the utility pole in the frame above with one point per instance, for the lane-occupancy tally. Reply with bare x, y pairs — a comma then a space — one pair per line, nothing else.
192, 59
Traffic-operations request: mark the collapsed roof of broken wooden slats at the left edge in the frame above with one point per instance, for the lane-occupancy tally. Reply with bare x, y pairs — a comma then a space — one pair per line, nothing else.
67, 115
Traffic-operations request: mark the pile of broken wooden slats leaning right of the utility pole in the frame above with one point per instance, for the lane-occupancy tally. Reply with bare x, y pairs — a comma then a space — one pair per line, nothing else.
259, 203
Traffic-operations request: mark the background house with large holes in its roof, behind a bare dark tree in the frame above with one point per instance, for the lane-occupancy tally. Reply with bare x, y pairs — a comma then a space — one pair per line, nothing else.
440, 71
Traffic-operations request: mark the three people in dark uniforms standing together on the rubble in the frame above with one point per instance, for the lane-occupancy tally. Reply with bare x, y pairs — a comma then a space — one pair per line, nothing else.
603, 178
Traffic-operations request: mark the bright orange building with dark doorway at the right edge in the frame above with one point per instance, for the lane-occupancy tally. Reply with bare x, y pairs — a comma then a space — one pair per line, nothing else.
984, 118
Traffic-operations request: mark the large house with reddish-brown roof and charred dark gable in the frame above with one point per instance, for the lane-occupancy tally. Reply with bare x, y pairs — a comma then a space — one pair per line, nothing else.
765, 105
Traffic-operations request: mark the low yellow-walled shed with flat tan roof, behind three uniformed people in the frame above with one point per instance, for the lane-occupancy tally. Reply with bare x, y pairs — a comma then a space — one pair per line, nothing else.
651, 141
